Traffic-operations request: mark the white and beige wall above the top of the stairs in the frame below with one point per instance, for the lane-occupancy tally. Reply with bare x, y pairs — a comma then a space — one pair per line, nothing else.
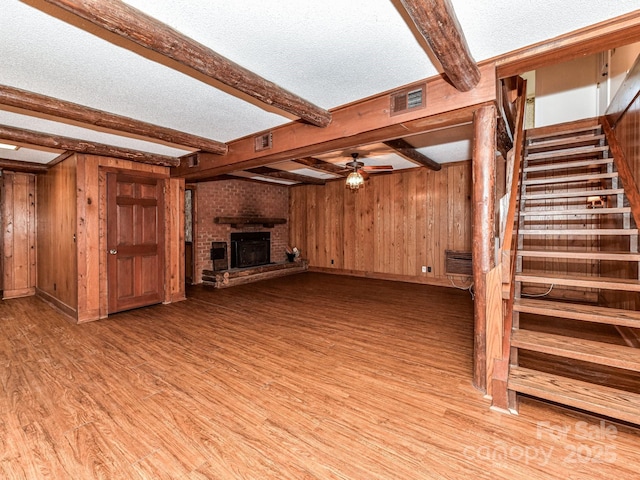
567, 91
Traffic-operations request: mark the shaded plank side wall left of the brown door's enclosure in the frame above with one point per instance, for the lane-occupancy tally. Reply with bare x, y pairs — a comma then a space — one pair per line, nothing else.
57, 220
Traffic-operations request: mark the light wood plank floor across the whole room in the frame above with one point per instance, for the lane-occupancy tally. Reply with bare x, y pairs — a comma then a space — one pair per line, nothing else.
304, 377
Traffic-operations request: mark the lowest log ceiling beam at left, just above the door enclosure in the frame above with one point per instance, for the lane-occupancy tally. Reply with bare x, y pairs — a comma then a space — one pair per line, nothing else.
30, 137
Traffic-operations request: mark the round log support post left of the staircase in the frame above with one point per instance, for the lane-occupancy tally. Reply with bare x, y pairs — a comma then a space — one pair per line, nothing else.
484, 183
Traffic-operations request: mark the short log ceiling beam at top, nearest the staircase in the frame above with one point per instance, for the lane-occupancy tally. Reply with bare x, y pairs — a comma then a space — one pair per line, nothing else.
437, 23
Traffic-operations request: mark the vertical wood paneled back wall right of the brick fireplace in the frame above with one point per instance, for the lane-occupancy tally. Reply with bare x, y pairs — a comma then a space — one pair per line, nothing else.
390, 228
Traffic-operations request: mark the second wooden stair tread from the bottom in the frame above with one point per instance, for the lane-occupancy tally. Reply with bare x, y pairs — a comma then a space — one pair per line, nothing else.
618, 356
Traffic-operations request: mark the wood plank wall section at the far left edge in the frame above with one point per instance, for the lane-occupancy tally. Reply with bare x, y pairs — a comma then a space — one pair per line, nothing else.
19, 234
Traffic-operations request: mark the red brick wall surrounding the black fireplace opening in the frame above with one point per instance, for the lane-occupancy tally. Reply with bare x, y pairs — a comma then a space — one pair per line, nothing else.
235, 198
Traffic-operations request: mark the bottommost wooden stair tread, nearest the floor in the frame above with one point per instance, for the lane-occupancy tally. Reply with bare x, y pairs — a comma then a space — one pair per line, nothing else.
587, 396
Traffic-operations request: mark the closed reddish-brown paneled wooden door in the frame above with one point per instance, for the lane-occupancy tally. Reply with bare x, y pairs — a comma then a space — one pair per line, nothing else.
135, 241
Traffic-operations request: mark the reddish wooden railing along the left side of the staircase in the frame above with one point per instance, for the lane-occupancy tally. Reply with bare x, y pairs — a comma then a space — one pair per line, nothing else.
508, 250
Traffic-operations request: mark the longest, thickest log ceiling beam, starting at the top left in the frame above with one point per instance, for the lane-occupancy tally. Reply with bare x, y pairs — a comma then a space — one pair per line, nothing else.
138, 27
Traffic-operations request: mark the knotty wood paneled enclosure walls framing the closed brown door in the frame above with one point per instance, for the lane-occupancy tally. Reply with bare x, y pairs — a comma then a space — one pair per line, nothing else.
72, 227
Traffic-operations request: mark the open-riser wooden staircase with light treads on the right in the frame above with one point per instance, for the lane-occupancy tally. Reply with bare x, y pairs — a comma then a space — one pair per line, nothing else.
576, 278
